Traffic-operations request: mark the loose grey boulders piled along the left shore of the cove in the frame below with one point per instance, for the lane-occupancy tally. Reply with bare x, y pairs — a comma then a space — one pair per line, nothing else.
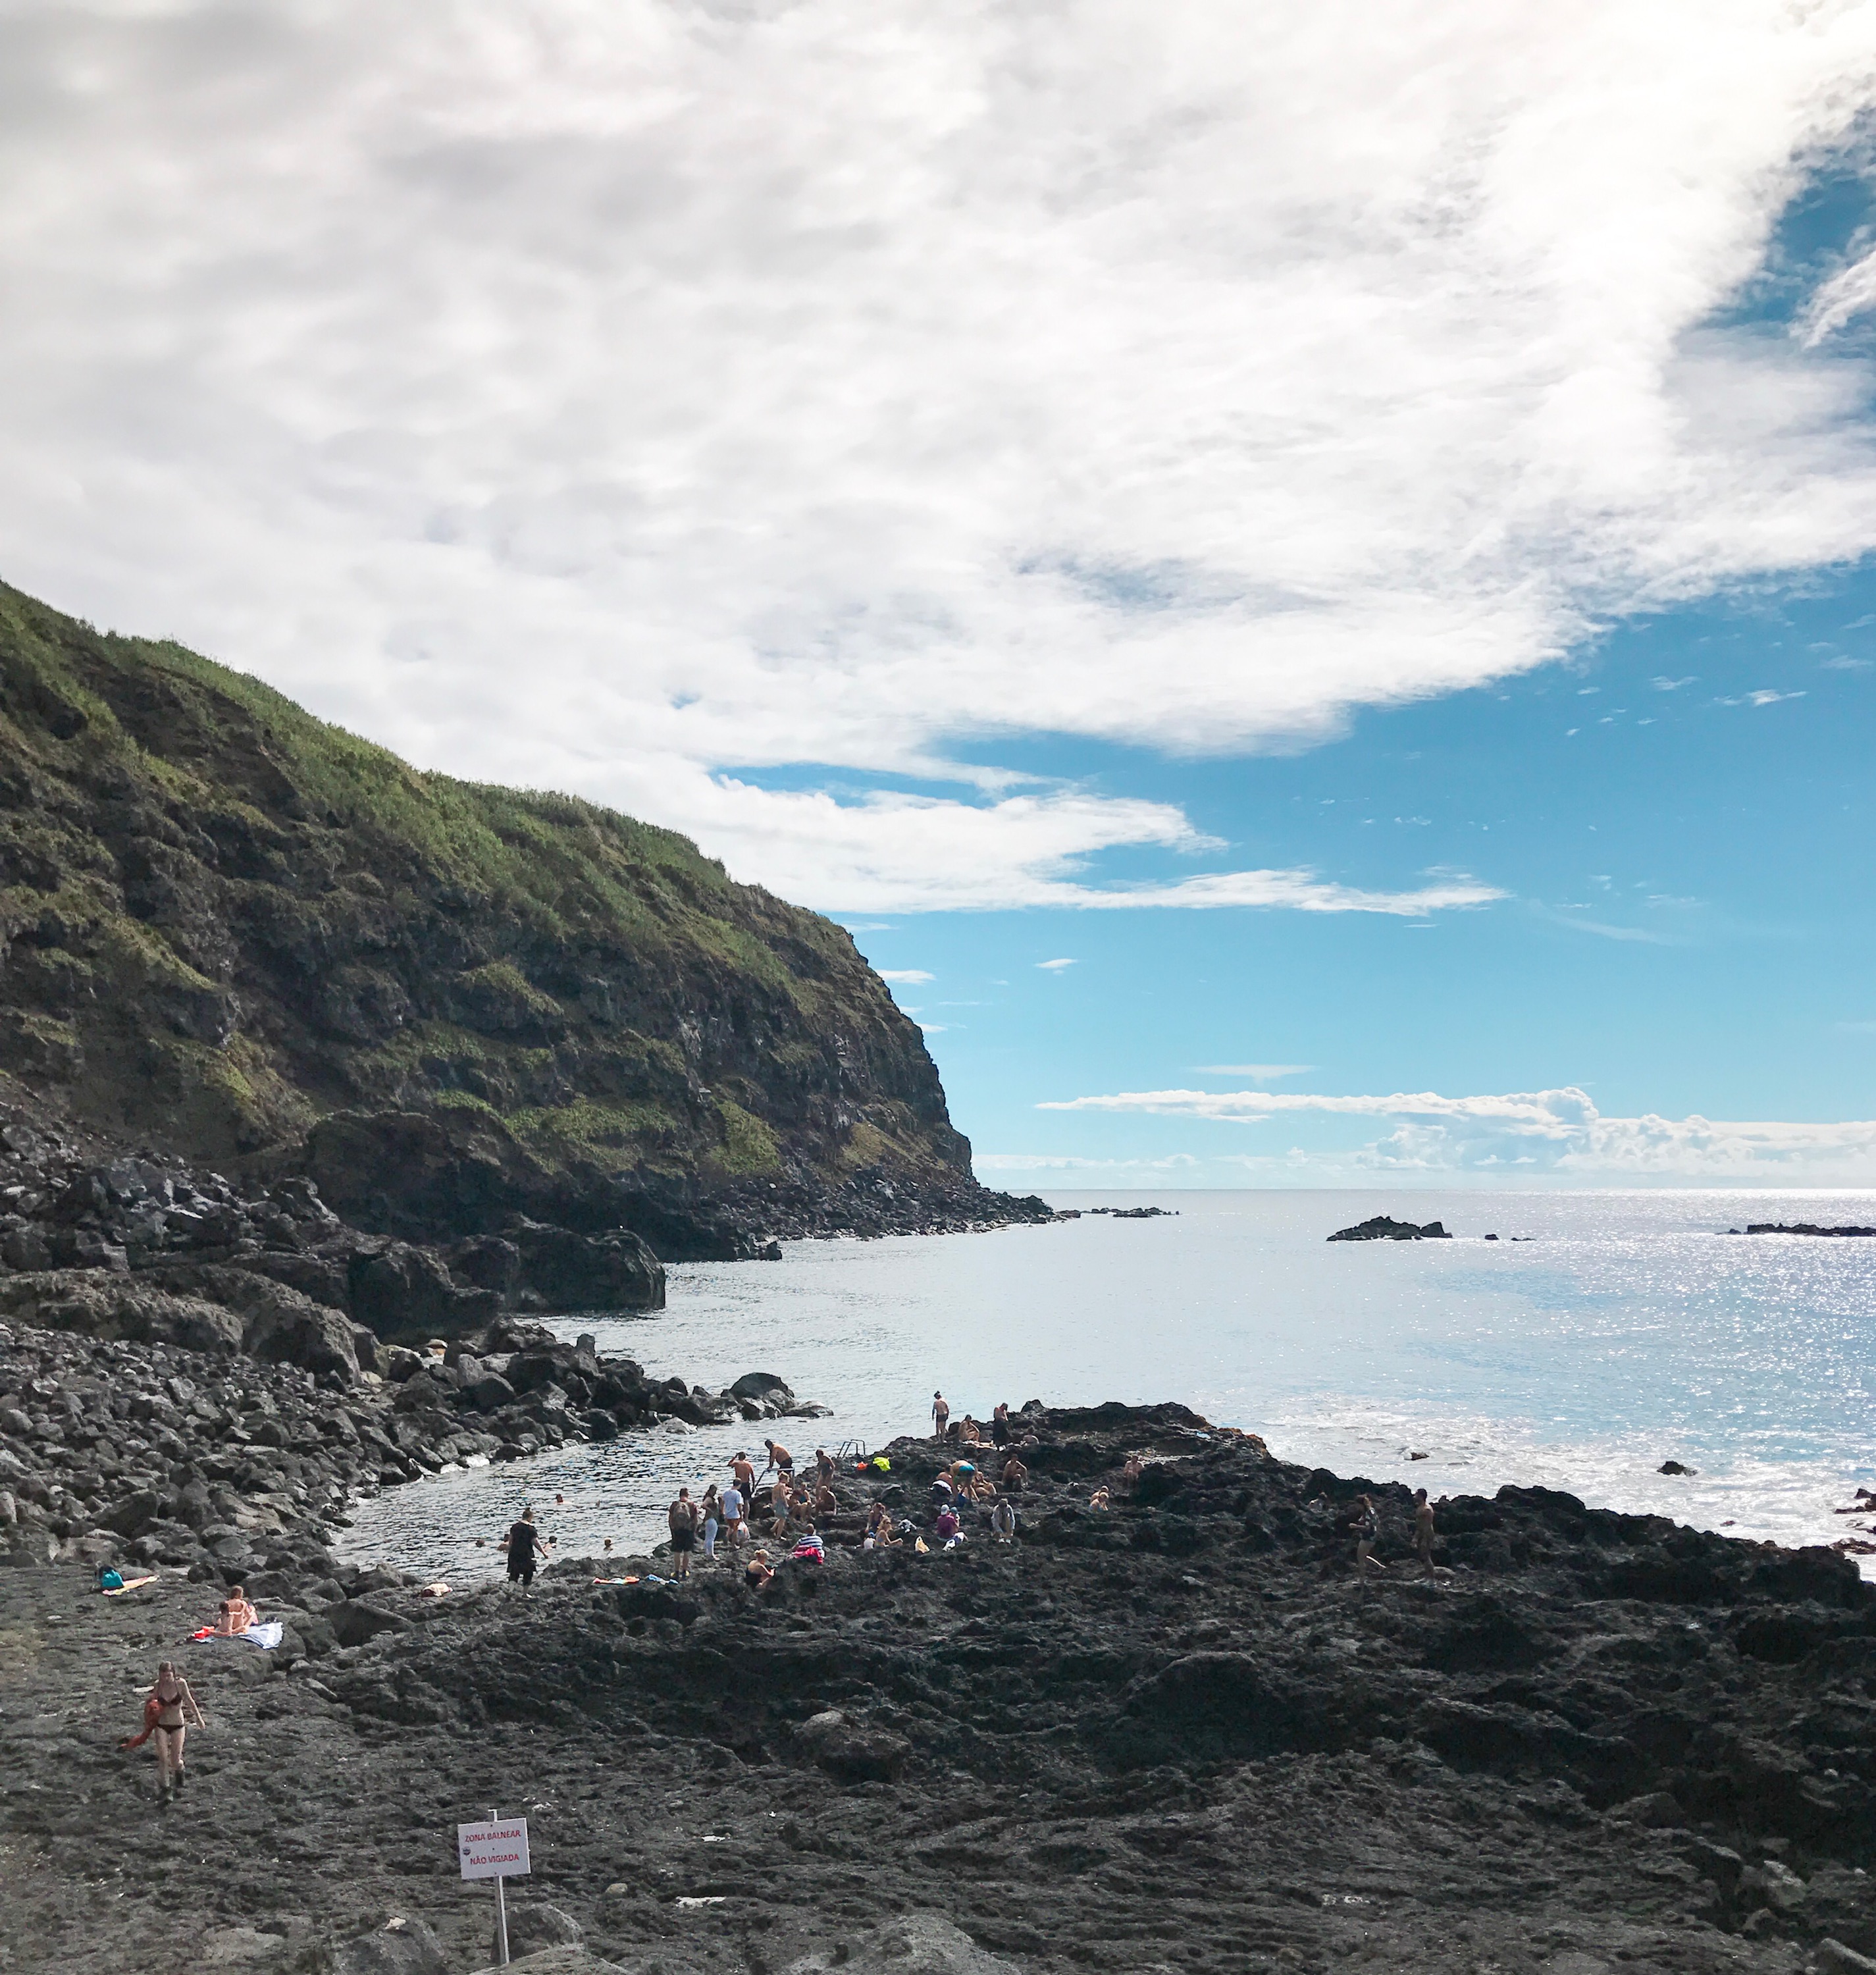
153, 1455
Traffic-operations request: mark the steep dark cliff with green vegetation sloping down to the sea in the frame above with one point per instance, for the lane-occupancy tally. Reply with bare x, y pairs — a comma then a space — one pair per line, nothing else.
246, 937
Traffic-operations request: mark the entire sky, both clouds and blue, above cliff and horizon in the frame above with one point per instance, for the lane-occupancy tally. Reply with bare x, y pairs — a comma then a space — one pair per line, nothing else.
1302, 578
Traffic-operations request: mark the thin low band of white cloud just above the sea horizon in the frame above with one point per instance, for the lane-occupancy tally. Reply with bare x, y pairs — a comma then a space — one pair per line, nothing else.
1537, 1133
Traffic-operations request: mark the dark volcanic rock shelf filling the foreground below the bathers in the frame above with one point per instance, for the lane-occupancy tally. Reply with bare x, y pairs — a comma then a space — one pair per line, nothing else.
1168, 1733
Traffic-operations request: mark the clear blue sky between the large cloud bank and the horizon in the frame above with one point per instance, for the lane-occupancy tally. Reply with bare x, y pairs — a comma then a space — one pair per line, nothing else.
1689, 923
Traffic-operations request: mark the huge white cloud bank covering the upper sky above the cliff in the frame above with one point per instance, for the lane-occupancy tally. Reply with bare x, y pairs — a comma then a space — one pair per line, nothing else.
641, 392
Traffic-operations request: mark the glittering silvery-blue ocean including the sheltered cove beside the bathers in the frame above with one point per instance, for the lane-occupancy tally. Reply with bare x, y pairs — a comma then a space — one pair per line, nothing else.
1599, 1338
